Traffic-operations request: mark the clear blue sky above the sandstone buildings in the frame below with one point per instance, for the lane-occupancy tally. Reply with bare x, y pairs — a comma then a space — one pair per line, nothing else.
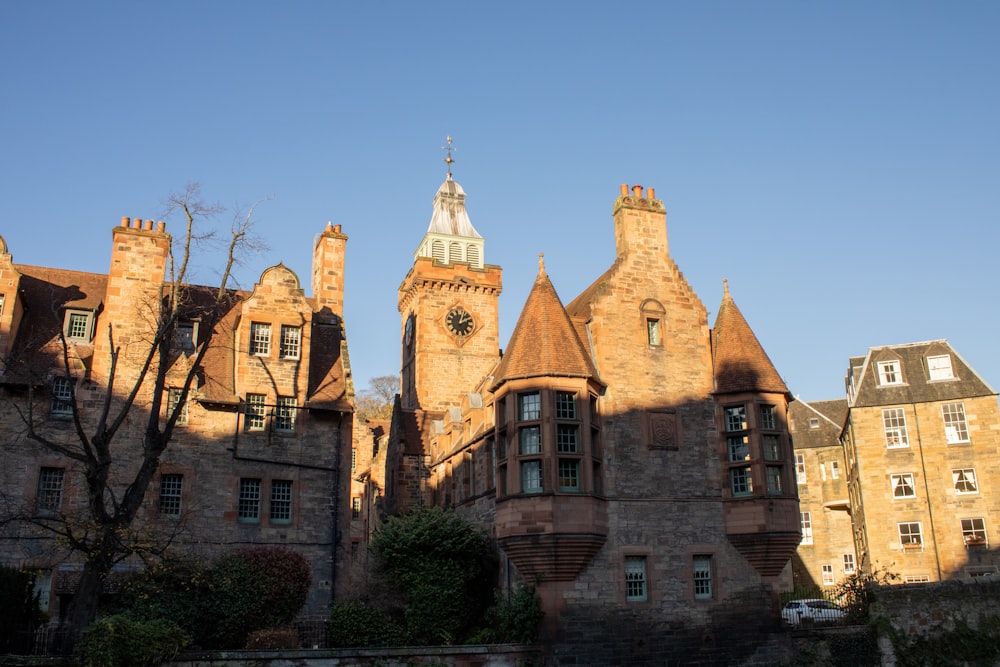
838, 162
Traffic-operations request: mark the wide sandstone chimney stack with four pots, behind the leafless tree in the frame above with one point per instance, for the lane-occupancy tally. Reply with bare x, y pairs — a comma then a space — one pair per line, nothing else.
133, 299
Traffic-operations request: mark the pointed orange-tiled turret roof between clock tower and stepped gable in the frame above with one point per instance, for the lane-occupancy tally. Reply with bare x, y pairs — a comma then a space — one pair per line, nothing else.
544, 342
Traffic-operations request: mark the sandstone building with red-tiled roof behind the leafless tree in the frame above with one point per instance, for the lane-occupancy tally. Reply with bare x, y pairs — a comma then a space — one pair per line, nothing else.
259, 443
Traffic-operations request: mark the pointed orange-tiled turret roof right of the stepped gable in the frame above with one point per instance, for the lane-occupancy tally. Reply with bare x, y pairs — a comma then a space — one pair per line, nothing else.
740, 363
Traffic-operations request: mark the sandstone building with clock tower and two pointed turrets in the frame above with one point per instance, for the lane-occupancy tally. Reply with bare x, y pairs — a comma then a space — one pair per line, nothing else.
632, 463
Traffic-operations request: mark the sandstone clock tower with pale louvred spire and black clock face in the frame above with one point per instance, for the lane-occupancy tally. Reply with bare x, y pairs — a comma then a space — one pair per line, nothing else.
448, 303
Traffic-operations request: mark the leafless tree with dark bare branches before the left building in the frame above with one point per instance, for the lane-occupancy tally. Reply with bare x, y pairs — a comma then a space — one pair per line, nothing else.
107, 531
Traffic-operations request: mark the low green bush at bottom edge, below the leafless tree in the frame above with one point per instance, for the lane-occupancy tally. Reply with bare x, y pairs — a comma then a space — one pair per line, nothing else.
122, 641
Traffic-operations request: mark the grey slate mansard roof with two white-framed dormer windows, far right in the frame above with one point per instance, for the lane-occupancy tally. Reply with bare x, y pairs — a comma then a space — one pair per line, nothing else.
916, 387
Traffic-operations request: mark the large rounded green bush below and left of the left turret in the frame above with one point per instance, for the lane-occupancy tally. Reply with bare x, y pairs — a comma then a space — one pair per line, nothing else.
444, 568
